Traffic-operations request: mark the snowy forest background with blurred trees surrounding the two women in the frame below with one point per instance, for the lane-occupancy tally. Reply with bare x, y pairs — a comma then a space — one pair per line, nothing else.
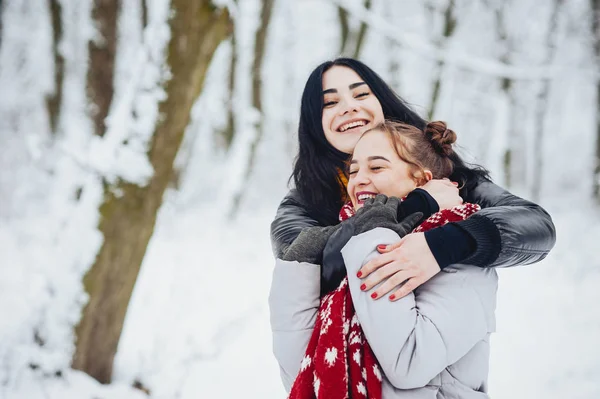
145, 145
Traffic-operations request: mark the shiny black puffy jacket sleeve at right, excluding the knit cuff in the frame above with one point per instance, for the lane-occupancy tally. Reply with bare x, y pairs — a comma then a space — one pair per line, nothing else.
509, 230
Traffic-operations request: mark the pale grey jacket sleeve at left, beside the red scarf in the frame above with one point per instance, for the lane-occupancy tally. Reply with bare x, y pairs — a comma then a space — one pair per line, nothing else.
293, 305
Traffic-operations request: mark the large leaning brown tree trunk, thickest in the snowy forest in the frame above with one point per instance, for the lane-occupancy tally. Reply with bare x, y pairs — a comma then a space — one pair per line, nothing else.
128, 218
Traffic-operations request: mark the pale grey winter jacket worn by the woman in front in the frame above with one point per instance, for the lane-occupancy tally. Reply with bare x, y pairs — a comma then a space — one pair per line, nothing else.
433, 343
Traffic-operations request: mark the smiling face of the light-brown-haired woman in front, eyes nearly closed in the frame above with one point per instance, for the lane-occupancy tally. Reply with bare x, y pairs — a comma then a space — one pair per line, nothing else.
376, 168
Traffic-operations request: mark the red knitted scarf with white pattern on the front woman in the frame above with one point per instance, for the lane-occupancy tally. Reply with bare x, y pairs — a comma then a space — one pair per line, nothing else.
339, 363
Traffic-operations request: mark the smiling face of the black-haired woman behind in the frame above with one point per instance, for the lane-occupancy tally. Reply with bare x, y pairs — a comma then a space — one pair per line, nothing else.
349, 108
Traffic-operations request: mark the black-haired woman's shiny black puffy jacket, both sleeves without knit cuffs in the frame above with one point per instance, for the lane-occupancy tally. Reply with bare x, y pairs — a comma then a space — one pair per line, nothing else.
508, 231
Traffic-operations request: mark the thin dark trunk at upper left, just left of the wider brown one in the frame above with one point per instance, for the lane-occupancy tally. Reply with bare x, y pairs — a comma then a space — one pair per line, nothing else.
54, 100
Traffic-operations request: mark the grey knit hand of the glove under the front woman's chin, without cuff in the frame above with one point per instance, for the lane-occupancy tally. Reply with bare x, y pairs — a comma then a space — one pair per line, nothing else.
383, 212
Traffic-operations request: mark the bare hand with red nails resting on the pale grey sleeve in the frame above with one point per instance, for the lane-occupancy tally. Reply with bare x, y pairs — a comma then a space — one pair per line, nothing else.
408, 261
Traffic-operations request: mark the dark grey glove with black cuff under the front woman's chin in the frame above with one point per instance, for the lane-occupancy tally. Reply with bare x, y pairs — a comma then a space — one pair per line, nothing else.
380, 212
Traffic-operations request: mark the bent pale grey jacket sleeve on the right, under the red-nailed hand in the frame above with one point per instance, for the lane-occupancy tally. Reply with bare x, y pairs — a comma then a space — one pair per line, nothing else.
418, 336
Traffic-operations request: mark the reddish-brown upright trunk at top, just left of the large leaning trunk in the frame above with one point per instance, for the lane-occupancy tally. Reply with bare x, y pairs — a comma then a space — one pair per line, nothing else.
102, 52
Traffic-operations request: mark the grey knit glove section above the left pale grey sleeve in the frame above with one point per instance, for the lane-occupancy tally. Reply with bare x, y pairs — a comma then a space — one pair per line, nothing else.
308, 246
